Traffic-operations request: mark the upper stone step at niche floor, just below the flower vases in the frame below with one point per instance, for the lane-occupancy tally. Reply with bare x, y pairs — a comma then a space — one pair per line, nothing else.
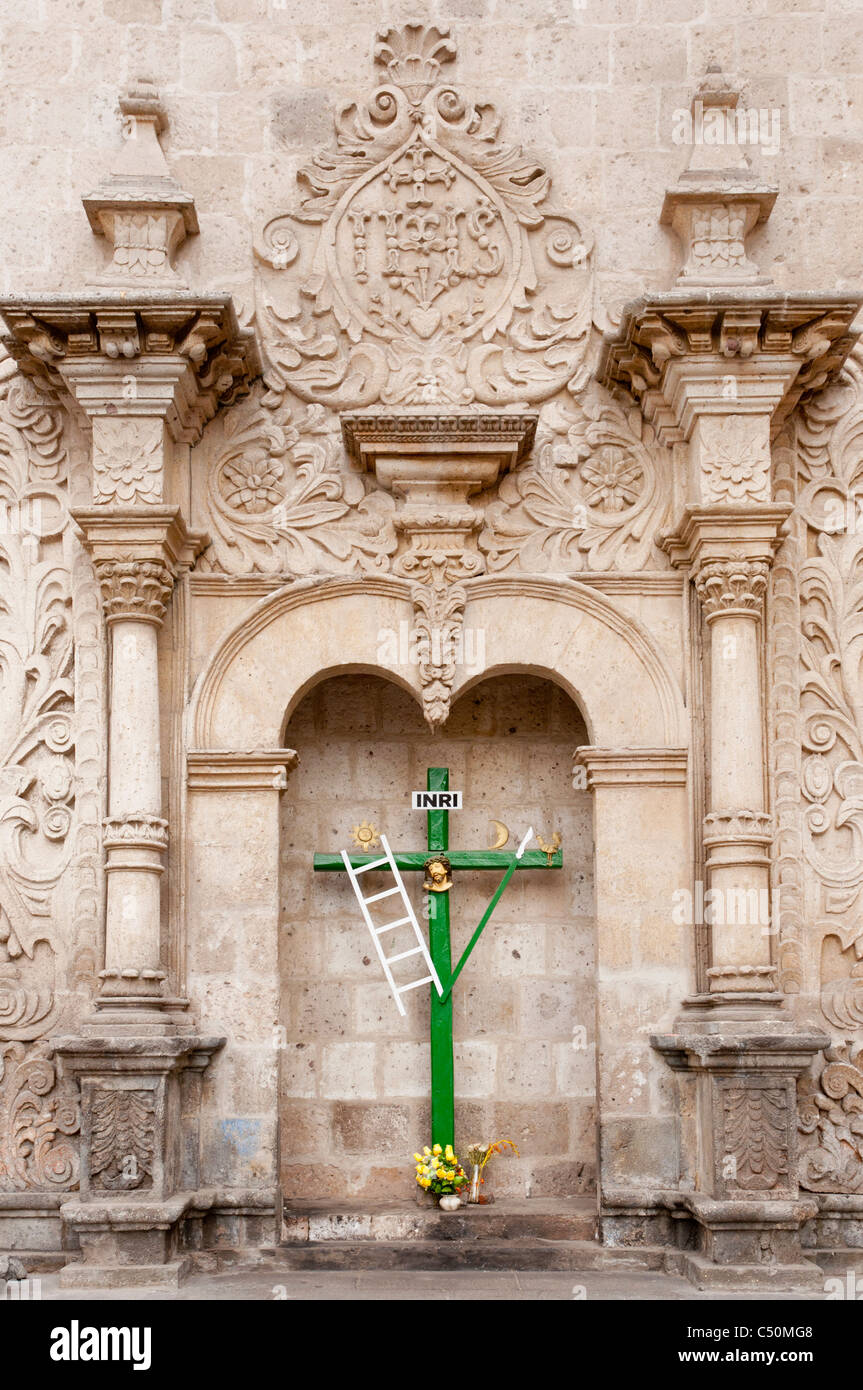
323, 1224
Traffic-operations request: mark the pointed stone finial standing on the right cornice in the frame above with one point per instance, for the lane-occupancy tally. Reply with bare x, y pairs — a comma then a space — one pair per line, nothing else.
718, 199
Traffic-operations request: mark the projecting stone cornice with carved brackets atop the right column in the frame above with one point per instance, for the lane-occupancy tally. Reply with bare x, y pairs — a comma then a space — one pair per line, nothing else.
775, 348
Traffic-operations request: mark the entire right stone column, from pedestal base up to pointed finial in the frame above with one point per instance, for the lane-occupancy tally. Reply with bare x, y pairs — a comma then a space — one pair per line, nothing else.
718, 365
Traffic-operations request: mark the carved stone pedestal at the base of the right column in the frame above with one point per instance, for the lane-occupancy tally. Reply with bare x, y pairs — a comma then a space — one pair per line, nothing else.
739, 1122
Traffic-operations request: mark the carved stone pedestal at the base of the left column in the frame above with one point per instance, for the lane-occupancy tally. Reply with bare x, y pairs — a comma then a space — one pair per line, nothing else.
140, 1170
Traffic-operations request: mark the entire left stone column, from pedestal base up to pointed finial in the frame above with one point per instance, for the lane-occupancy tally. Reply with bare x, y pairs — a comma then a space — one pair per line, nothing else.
148, 365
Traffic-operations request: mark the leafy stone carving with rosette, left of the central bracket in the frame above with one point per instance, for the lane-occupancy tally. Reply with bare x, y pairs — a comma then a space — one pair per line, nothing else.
280, 502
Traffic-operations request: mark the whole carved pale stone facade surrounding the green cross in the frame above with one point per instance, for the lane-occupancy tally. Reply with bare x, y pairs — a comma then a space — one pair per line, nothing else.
513, 420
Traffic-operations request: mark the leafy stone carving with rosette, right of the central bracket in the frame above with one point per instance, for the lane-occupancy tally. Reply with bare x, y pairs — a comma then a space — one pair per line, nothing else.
594, 501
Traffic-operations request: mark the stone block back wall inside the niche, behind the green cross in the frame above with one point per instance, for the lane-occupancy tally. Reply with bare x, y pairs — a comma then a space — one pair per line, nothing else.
355, 1075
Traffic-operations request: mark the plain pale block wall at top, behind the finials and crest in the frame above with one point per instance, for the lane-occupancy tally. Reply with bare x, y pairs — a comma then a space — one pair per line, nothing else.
595, 85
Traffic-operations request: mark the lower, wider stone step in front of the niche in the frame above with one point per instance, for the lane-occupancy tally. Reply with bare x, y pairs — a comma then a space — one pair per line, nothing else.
515, 1254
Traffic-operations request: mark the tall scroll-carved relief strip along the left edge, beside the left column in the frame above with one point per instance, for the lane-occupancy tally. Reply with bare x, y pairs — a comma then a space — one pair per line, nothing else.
41, 826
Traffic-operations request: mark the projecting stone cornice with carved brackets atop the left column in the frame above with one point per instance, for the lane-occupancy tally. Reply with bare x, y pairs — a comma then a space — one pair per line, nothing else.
180, 357
